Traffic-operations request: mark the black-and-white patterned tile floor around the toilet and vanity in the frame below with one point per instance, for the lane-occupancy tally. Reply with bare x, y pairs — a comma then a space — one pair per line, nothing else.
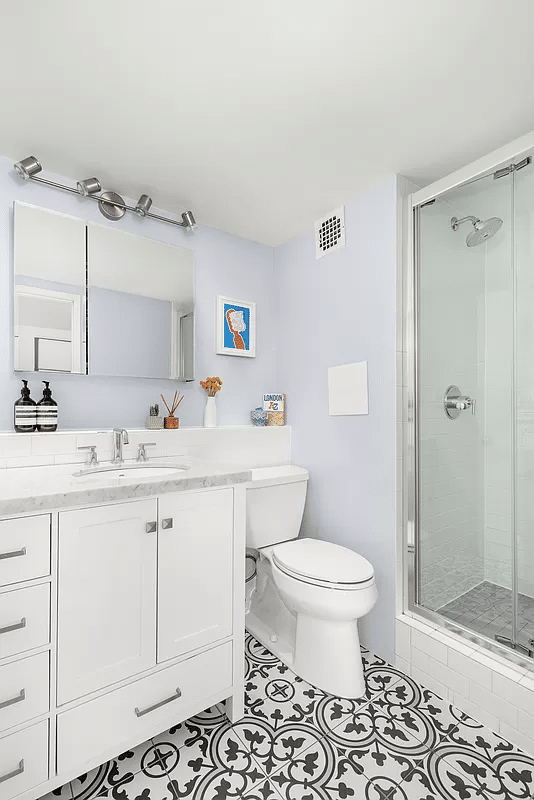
398, 742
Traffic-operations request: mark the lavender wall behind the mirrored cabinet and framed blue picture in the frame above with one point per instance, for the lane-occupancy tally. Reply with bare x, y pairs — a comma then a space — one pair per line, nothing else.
225, 264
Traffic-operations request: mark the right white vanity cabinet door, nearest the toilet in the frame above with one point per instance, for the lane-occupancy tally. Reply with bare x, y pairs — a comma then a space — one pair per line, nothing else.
195, 557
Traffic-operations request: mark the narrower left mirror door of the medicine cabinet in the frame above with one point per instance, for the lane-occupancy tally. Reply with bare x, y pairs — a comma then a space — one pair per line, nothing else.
49, 291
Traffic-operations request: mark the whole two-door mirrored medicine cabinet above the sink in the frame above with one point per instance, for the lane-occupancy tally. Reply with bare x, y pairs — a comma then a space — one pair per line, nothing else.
95, 300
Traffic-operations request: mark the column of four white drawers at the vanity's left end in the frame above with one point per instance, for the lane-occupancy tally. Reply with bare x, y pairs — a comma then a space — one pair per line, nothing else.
25, 634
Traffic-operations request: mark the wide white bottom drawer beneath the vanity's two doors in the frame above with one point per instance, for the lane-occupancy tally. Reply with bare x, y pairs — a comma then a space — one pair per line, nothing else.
142, 709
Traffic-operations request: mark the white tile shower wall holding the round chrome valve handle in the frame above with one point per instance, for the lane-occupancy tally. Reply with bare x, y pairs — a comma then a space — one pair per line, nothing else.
451, 451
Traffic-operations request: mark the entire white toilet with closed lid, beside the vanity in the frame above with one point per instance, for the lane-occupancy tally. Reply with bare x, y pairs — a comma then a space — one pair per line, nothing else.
308, 594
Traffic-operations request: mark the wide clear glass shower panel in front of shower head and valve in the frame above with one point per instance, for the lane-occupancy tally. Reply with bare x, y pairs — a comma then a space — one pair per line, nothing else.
465, 408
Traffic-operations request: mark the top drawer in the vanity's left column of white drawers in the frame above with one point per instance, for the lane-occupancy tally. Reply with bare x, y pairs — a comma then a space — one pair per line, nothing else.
24, 549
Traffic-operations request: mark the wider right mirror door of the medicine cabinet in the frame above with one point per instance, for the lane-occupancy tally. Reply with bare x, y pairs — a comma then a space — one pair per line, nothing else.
140, 291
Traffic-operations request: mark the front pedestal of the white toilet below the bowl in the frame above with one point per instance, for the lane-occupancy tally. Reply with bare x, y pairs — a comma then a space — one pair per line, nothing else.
328, 655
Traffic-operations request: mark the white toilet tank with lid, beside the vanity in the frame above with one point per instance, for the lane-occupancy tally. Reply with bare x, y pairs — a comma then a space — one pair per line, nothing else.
275, 505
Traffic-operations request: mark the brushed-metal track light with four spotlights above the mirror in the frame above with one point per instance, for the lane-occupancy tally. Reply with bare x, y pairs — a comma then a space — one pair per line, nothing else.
111, 204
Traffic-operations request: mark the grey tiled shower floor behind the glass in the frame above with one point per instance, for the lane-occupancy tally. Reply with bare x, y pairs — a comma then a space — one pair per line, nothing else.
487, 609
